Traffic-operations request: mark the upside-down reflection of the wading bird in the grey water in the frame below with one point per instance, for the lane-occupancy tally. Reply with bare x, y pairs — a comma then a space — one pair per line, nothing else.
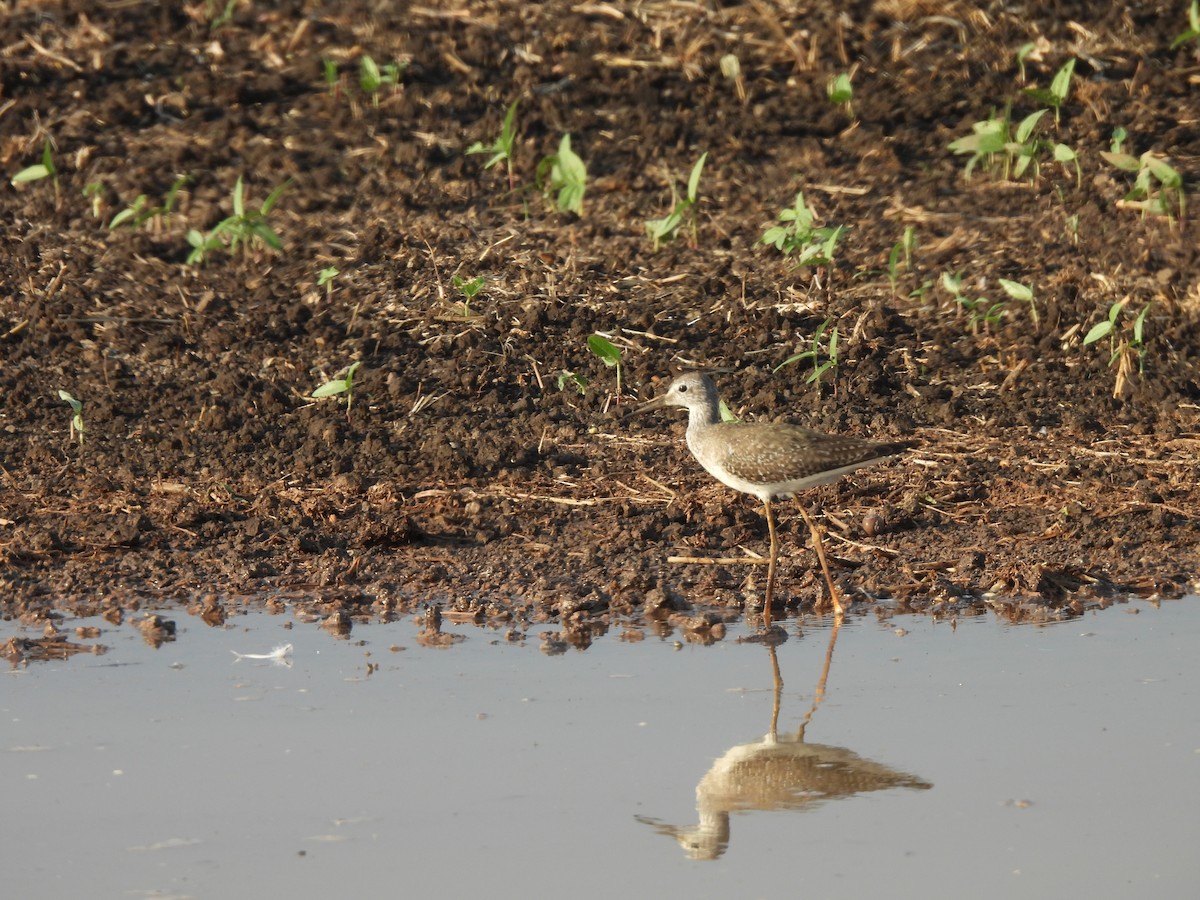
779, 772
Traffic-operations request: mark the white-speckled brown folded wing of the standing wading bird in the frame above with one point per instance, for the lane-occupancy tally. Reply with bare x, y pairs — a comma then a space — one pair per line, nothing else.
791, 457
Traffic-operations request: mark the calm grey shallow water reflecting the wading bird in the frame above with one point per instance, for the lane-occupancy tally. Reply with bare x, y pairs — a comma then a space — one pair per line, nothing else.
983, 760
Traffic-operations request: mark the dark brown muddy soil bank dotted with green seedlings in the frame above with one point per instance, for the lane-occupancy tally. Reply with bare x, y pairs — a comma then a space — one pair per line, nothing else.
466, 475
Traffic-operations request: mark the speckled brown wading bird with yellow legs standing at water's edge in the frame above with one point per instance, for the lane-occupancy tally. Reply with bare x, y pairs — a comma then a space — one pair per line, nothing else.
767, 460
